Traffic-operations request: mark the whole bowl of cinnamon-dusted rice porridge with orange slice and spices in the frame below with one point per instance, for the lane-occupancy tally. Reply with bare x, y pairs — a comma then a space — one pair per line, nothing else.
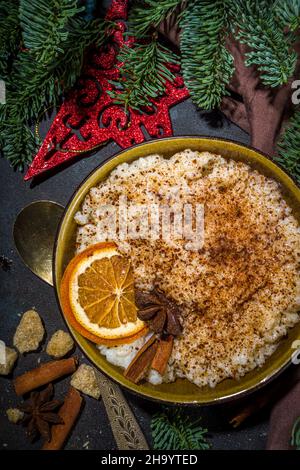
205, 303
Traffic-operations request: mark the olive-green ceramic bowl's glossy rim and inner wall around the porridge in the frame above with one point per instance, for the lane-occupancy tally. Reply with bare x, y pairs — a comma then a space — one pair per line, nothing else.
181, 391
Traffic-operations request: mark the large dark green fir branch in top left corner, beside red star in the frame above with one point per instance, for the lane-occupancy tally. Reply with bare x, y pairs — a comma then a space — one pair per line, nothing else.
47, 67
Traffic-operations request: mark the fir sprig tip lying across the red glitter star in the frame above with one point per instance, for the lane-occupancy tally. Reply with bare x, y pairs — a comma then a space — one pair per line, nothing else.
143, 74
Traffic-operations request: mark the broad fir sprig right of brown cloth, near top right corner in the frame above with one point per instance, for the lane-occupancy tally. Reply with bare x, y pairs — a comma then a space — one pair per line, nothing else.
271, 50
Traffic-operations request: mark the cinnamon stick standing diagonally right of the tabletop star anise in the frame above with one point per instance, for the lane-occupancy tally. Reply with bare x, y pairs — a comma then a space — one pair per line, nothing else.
69, 413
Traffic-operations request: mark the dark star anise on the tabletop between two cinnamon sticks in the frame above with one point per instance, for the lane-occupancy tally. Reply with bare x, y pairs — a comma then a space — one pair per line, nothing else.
39, 413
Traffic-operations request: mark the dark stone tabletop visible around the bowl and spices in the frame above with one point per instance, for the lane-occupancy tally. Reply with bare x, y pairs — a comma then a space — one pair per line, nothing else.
21, 290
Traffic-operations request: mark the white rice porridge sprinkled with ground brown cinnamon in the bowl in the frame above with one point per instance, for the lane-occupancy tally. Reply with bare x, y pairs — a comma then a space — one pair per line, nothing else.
240, 292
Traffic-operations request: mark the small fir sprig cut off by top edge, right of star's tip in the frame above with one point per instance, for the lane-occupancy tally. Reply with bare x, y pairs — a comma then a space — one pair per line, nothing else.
149, 14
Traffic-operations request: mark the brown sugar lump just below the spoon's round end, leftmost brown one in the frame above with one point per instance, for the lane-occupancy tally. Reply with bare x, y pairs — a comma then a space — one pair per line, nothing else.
29, 332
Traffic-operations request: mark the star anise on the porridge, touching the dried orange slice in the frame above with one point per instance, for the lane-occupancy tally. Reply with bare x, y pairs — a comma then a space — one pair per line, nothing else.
161, 312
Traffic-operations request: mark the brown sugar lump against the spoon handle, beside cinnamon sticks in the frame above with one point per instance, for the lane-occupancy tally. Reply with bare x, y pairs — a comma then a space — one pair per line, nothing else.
86, 381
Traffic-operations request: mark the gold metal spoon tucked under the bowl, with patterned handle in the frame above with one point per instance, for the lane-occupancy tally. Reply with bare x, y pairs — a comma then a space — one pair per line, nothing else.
34, 235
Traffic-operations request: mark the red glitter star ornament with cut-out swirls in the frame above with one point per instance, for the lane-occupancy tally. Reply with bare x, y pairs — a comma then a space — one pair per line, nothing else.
88, 118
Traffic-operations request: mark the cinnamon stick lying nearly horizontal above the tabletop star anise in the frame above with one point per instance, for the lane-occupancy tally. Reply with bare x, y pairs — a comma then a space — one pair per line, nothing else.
44, 374
